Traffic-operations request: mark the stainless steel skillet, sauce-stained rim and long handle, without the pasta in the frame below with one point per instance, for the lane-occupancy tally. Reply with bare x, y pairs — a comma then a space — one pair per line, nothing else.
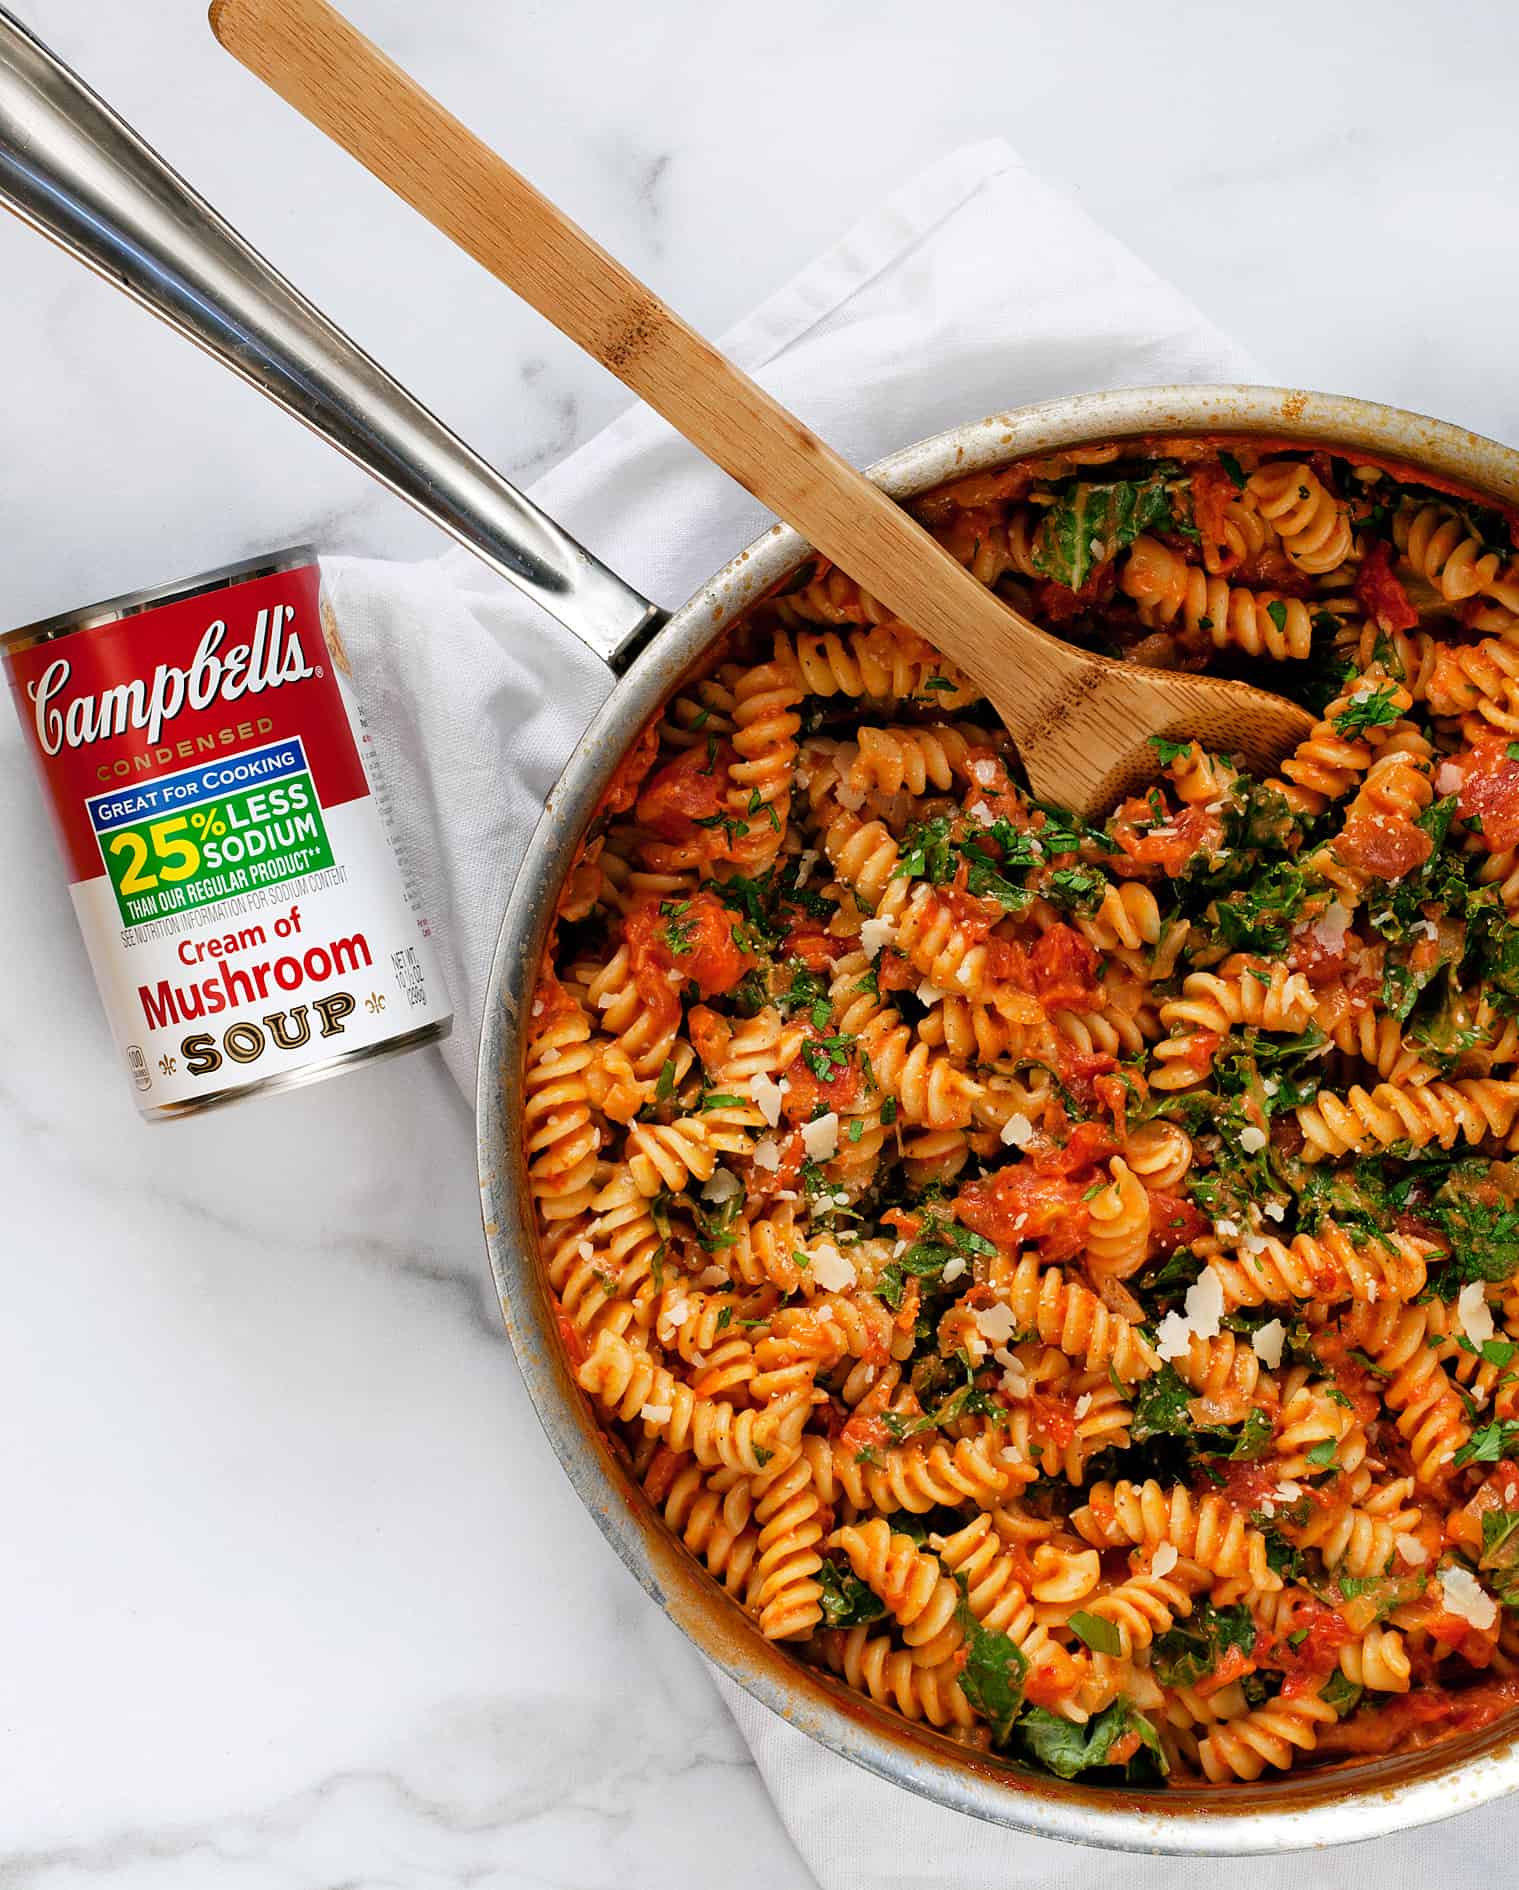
84, 179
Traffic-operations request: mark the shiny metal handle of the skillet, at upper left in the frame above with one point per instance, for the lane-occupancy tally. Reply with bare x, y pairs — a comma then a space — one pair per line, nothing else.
77, 173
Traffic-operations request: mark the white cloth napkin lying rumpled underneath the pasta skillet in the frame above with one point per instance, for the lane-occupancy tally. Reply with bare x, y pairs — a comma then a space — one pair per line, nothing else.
972, 290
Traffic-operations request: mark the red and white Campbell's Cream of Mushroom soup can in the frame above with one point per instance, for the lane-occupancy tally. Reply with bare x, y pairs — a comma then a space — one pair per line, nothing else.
228, 836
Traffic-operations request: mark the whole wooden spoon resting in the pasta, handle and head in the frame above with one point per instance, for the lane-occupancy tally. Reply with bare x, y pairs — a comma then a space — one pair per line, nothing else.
1082, 721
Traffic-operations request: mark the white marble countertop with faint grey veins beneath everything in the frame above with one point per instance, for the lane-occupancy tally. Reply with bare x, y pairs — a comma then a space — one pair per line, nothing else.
294, 1592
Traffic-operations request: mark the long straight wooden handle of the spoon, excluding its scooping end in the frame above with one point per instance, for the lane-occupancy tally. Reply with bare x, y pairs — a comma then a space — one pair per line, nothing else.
309, 54
